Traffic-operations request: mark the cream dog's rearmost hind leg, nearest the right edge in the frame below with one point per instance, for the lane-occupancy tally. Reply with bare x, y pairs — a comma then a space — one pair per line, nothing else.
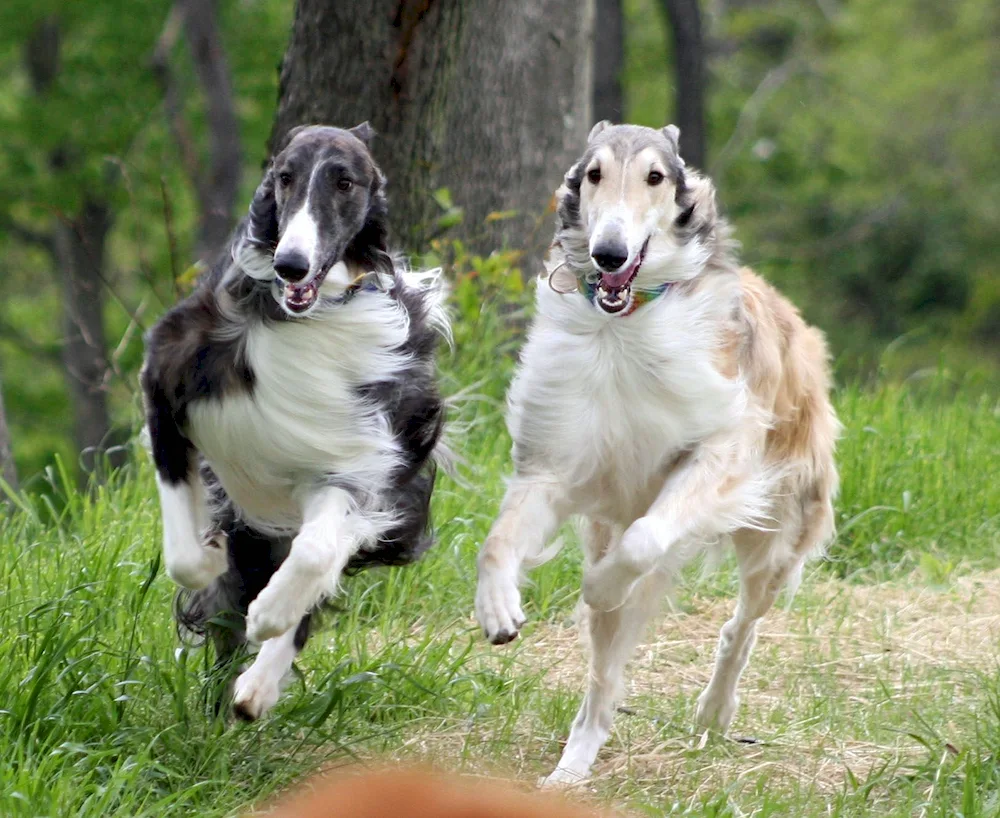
767, 560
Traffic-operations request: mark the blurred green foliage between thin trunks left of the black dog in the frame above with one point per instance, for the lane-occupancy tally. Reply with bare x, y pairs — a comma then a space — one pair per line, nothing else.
103, 113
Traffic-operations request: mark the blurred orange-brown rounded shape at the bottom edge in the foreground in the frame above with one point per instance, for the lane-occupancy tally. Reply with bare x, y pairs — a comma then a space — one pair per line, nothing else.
420, 794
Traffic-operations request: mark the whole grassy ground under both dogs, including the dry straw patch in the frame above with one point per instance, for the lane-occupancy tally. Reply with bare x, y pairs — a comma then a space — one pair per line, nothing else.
876, 693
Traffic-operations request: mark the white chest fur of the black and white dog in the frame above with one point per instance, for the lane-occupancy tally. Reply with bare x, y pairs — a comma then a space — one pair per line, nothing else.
305, 418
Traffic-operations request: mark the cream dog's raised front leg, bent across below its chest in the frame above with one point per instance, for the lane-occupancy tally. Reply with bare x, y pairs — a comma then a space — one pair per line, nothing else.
711, 492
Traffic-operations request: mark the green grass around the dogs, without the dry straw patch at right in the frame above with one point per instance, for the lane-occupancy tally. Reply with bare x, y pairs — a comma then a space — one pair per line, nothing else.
104, 713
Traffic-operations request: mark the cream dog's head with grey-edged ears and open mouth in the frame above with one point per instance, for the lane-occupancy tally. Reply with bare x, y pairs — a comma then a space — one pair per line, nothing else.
631, 214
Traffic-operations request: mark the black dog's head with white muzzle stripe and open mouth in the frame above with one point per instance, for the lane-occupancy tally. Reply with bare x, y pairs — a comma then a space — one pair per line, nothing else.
321, 202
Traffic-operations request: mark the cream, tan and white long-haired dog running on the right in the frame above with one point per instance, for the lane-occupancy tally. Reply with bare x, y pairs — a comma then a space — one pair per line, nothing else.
672, 400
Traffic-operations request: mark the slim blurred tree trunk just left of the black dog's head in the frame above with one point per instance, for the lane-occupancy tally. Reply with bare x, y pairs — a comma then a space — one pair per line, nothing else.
219, 186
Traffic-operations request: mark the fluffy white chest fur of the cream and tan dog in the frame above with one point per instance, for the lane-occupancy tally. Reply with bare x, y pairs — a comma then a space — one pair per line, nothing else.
606, 403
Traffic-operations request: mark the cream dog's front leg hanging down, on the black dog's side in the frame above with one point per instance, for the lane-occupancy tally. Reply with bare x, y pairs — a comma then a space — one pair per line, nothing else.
531, 512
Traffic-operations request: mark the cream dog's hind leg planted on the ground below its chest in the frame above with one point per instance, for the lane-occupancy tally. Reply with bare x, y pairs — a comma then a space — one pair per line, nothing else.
613, 636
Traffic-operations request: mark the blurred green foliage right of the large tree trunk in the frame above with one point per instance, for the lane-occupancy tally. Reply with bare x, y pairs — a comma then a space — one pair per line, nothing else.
849, 142
